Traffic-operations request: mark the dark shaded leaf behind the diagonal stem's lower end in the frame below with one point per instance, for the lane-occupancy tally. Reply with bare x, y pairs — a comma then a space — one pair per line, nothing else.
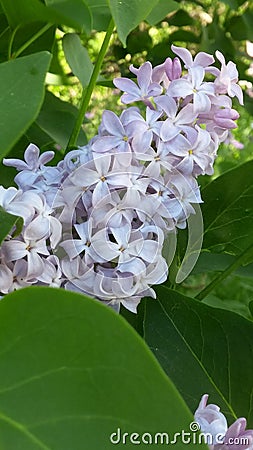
57, 119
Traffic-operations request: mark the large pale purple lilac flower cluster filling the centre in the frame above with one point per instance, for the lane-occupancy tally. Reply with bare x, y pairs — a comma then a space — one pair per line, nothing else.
96, 222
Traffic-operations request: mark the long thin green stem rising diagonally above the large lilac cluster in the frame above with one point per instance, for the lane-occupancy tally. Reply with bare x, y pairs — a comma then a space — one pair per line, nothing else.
88, 92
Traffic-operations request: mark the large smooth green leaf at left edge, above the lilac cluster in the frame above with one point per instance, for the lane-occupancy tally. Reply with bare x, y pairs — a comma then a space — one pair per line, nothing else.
21, 96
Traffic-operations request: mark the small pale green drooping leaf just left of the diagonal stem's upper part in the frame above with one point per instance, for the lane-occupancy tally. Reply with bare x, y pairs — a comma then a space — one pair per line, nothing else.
77, 58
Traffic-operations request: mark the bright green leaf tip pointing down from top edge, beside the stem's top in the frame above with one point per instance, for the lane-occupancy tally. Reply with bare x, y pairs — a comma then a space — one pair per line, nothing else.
127, 14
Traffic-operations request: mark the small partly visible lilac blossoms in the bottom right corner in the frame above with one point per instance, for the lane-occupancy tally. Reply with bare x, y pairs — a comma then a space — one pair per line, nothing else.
213, 425
